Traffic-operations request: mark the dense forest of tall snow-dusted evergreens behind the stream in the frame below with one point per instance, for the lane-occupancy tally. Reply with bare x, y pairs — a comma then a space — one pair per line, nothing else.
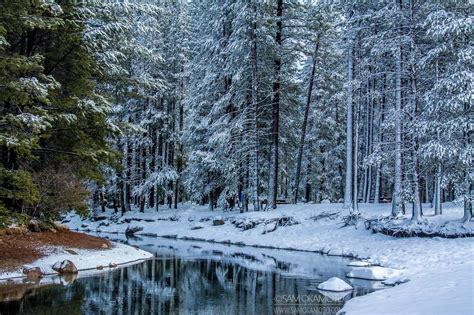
242, 104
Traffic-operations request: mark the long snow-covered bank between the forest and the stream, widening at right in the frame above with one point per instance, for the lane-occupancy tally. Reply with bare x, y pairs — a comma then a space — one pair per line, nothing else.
440, 270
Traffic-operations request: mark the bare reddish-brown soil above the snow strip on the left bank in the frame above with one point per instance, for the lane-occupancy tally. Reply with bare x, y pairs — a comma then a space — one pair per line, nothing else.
17, 250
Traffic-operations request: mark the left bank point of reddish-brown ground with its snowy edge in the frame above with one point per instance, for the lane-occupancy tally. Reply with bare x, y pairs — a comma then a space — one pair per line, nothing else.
43, 249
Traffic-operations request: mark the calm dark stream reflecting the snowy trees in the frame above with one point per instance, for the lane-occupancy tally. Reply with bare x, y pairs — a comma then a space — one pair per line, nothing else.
196, 278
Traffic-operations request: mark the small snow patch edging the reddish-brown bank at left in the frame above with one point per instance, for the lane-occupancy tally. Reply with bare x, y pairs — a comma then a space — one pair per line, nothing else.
84, 259
